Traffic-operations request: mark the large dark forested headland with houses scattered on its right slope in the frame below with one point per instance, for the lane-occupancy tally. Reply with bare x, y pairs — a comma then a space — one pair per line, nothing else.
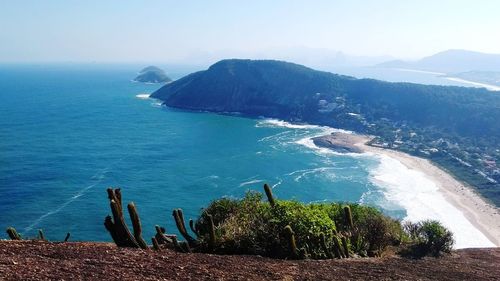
455, 127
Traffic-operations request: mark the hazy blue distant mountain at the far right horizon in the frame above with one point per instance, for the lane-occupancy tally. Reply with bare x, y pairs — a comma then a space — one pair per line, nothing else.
451, 61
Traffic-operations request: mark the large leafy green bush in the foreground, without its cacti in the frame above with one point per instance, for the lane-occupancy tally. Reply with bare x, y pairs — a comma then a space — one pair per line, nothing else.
251, 226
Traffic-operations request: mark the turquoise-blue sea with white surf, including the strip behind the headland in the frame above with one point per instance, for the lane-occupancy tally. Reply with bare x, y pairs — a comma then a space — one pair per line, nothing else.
70, 131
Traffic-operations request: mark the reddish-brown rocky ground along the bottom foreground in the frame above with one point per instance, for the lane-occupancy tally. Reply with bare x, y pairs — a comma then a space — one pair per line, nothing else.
36, 260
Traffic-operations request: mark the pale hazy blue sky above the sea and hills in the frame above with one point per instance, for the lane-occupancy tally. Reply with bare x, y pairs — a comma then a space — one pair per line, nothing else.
178, 31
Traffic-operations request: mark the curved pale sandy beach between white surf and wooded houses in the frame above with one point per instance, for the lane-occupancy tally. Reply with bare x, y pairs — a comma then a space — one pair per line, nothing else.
482, 215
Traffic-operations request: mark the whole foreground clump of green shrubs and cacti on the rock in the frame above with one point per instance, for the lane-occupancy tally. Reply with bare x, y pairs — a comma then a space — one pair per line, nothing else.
285, 229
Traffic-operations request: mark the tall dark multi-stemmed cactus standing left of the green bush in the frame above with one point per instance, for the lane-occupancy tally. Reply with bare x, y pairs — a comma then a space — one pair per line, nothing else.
116, 226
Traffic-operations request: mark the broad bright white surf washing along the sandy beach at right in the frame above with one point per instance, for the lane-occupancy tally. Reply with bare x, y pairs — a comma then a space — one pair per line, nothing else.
422, 200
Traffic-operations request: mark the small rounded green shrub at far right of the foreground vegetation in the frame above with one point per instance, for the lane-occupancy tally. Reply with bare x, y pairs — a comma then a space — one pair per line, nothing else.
430, 238
